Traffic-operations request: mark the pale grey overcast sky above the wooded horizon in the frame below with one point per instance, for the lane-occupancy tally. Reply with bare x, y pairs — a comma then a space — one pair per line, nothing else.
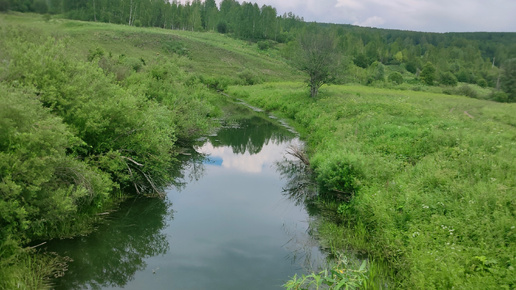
418, 15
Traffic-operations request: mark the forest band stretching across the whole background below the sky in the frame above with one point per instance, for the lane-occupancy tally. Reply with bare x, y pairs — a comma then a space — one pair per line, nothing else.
366, 55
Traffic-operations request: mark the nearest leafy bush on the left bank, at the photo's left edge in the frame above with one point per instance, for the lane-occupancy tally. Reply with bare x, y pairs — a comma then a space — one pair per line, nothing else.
42, 187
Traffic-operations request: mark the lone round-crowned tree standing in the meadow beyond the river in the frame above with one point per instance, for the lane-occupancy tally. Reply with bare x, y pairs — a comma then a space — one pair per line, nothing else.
317, 57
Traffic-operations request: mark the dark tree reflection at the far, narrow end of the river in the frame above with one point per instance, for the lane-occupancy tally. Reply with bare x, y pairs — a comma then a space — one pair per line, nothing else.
250, 134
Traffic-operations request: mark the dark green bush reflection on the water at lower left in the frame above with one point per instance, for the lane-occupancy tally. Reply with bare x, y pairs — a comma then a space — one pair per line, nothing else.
112, 255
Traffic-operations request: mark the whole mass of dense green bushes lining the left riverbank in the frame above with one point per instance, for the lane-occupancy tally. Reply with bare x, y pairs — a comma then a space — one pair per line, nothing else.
77, 135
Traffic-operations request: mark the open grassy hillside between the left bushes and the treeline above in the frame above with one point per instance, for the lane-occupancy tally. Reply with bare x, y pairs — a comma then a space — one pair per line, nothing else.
208, 54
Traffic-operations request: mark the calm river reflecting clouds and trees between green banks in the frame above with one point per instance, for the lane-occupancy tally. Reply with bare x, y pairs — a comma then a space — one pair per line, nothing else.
228, 225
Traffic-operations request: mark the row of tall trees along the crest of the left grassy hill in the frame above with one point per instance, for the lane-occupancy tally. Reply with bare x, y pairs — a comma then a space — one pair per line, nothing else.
245, 20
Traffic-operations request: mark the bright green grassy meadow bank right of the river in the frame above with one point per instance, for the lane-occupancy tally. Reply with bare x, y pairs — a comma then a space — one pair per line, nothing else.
424, 182
